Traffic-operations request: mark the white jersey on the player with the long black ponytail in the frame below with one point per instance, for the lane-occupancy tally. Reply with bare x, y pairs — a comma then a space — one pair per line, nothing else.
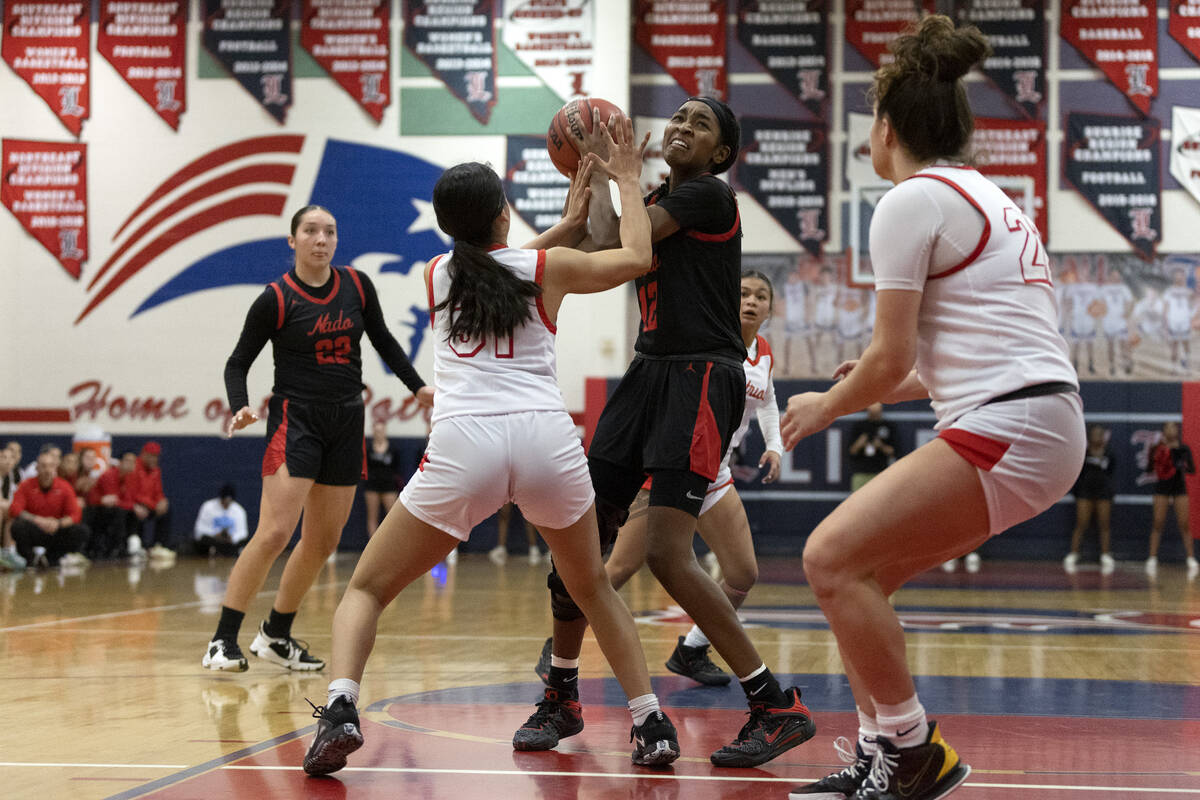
514, 374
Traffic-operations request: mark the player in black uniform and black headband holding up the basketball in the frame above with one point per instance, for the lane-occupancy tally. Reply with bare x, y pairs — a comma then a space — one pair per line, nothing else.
673, 417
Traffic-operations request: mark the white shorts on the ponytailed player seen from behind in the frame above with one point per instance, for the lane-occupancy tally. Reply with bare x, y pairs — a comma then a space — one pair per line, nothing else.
476, 465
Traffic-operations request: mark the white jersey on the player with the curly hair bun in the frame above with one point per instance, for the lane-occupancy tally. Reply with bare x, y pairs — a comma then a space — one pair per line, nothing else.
987, 326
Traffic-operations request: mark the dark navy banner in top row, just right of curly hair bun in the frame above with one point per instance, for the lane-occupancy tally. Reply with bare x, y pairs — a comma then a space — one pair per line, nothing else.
1017, 33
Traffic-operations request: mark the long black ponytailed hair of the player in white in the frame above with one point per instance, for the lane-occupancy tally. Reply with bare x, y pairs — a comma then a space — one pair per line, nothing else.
485, 298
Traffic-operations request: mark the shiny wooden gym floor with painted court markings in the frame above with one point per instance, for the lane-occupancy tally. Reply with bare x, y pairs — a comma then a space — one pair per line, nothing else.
1051, 687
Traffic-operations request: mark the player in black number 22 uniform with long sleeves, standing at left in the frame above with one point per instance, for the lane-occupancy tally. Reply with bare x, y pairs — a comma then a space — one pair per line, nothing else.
315, 317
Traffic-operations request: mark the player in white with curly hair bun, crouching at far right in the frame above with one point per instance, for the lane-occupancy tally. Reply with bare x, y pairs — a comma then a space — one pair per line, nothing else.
965, 316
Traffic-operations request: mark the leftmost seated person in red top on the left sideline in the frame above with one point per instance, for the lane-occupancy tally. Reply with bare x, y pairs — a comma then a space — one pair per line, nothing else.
46, 516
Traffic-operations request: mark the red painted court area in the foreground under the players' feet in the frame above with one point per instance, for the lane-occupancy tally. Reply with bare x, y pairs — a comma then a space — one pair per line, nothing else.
464, 753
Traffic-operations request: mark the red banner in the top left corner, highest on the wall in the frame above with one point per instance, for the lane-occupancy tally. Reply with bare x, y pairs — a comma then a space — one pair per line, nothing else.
49, 46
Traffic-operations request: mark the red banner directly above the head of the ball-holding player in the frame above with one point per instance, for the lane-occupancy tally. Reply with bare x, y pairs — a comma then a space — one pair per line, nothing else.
687, 40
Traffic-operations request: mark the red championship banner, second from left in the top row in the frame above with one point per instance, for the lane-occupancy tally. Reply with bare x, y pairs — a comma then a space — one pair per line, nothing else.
145, 43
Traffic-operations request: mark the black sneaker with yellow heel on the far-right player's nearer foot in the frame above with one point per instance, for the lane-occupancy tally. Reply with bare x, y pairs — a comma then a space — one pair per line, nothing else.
923, 773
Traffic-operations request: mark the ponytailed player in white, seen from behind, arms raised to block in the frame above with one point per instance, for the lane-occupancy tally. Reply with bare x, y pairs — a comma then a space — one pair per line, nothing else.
494, 311
